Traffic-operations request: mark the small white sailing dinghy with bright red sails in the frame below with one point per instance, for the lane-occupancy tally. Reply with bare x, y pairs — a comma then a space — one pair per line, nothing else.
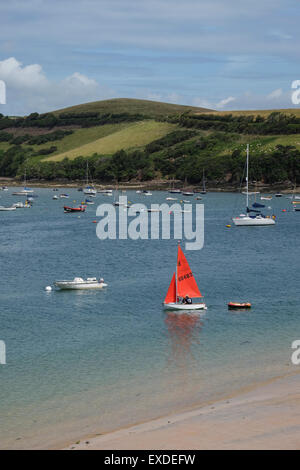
183, 288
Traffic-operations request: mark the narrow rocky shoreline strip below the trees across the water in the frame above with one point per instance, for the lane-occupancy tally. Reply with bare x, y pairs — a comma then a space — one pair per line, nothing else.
154, 185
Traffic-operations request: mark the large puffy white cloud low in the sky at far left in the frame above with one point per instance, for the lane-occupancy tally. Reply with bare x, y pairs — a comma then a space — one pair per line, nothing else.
28, 89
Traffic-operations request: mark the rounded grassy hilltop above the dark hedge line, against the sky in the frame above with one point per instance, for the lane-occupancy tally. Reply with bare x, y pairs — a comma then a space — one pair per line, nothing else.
131, 106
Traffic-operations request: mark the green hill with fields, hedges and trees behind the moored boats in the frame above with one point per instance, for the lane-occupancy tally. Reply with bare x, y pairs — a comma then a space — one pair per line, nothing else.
129, 139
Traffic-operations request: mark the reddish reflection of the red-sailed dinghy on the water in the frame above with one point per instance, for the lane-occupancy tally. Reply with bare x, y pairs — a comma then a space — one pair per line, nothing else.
183, 333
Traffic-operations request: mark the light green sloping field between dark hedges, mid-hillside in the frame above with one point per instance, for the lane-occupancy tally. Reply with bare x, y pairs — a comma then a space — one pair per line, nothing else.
132, 135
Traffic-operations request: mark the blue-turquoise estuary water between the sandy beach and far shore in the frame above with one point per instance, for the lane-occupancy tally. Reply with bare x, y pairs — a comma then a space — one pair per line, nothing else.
80, 363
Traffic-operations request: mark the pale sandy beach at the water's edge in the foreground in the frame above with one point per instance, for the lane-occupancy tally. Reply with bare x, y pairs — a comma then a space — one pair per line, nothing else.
266, 417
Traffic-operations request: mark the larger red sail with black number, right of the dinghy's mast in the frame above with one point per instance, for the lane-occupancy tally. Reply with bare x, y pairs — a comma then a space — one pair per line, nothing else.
186, 284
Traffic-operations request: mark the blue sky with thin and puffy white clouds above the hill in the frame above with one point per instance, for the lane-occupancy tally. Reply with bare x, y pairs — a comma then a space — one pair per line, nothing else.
219, 54
